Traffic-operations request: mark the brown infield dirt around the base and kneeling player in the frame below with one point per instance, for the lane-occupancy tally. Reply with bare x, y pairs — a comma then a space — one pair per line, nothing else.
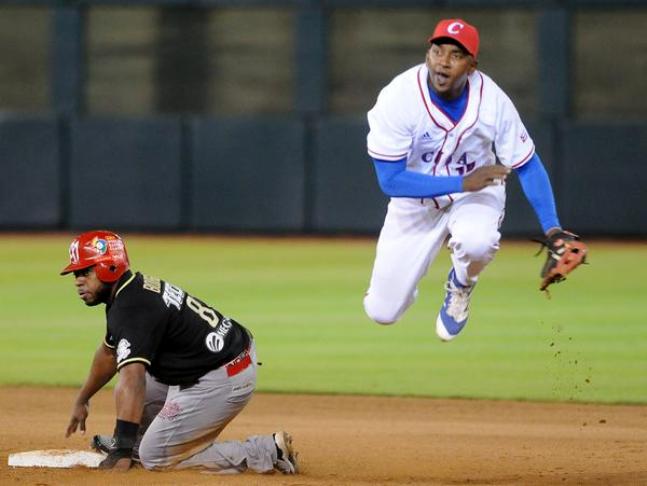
353, 440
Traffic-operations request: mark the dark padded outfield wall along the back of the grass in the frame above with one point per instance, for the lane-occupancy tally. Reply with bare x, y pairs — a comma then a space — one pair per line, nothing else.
253, 175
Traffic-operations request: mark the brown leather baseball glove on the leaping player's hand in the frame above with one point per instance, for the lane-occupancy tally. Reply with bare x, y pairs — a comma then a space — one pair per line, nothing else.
565, 253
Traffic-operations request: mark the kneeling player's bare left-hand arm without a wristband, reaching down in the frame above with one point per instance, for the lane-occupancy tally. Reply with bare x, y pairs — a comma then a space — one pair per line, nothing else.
103, 368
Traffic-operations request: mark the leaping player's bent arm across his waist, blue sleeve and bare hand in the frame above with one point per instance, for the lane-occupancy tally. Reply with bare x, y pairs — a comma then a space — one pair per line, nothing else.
396, 181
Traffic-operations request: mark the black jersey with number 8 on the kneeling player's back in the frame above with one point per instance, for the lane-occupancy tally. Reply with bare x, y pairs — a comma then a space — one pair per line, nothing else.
178, 337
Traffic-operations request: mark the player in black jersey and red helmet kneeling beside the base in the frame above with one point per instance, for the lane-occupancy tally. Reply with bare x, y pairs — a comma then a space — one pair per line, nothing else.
185, 370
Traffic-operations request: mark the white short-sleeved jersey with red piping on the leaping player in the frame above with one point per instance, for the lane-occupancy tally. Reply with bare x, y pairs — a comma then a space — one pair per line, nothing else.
405, 122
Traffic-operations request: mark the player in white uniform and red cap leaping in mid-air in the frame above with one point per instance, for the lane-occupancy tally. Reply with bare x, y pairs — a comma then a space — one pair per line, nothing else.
436, 133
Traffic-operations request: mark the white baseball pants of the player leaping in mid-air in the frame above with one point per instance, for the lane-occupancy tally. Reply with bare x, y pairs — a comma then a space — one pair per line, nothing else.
412, 236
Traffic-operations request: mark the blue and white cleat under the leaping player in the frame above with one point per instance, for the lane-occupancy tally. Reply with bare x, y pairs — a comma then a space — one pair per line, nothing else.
455, 310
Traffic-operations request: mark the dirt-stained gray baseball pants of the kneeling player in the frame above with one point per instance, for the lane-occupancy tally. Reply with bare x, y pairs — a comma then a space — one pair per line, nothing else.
180, 425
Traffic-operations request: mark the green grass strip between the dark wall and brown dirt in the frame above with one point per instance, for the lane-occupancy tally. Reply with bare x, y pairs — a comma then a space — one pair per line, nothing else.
303, 301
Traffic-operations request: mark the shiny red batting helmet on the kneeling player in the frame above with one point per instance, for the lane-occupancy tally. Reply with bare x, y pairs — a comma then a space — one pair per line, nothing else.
104, 250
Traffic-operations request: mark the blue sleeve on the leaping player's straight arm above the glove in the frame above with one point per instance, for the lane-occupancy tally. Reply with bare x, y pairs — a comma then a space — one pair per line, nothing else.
536, 186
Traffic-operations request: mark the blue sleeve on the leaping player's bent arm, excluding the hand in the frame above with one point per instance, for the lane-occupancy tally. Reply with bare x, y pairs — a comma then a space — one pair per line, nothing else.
396, 181
